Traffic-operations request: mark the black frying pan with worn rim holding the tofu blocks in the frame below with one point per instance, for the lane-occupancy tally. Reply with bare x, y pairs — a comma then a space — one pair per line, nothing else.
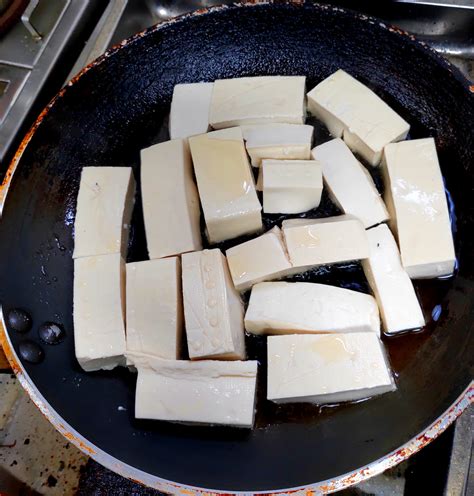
120, 105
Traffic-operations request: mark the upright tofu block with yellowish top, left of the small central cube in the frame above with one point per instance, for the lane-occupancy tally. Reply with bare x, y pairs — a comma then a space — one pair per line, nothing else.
226, 185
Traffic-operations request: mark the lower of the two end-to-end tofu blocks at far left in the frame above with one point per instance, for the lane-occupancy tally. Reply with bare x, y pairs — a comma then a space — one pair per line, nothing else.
99, 306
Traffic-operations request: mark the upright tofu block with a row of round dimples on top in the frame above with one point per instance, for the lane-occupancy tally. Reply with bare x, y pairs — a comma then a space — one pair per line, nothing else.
213, 310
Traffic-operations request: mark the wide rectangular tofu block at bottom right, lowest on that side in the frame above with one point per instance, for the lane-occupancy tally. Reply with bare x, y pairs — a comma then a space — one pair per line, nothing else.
327, 369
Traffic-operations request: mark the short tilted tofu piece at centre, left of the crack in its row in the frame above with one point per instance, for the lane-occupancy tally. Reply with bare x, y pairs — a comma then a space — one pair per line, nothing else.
260, 259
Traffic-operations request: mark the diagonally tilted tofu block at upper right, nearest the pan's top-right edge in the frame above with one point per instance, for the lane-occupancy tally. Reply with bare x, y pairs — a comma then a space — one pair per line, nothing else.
352, 111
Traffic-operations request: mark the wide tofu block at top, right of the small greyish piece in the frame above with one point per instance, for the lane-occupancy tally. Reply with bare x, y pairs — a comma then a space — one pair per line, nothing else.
257, 100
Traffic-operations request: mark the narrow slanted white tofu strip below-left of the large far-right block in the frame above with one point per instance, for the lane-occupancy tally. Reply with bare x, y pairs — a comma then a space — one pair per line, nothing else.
393, 289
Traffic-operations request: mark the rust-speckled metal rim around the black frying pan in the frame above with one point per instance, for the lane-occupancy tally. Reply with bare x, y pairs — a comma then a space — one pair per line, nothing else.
331, 485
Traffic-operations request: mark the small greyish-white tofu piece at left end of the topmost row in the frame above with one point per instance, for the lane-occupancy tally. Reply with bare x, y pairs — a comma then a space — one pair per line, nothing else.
189, 114
